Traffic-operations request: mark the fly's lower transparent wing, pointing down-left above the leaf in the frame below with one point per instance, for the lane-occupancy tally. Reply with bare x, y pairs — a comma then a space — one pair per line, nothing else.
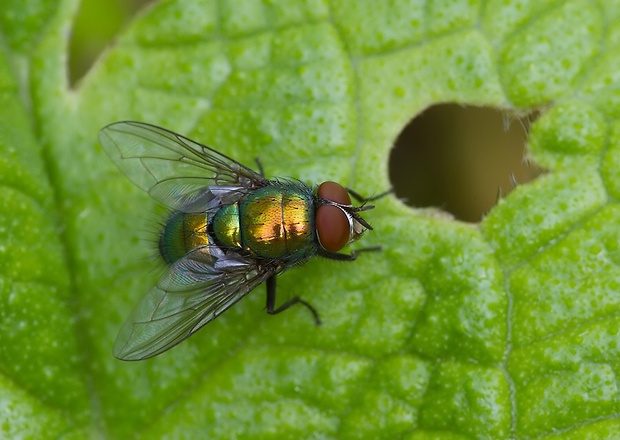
194, 291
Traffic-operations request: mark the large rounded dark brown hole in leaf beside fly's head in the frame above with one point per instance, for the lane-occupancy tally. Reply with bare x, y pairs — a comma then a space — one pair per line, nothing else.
460, 158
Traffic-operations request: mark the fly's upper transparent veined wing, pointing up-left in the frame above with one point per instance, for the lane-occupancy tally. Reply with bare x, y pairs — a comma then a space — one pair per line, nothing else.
173, 169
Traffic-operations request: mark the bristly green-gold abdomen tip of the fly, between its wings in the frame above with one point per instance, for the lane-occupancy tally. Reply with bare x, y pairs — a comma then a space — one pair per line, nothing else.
182, 233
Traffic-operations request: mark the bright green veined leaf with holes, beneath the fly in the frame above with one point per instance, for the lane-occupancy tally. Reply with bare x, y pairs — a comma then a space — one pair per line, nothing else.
507, 329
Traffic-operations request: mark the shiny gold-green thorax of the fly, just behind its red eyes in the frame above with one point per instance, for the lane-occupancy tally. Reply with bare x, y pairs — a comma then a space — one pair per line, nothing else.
276, 221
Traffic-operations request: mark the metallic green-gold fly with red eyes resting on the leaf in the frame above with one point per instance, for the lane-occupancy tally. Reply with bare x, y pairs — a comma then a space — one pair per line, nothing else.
230, 230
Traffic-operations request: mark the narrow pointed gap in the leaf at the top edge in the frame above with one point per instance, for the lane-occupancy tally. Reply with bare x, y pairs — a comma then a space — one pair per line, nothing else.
96, 24
